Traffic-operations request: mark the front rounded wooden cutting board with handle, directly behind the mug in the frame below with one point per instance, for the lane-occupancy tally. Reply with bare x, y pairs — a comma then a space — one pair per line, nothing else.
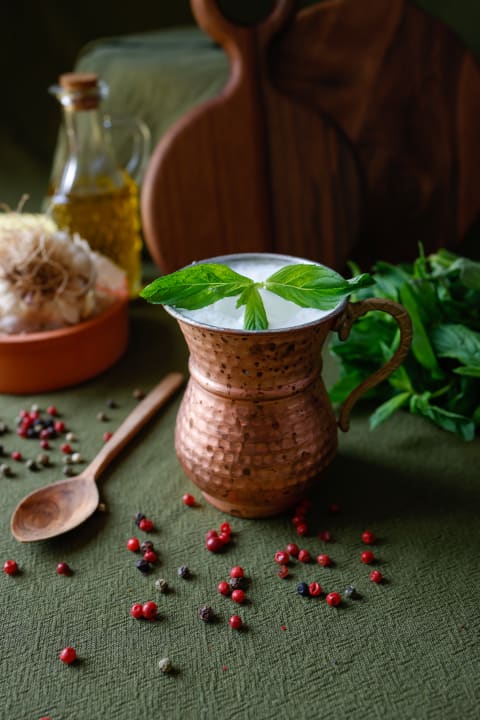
254, 169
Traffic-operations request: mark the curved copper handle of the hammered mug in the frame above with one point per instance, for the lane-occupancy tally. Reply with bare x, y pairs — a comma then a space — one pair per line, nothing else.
343, 325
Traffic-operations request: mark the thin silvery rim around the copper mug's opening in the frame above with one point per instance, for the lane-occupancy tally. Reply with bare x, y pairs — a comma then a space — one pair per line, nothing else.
292, 260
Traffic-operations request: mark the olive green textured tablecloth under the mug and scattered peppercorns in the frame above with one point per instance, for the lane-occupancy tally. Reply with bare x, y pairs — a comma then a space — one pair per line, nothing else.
406, 649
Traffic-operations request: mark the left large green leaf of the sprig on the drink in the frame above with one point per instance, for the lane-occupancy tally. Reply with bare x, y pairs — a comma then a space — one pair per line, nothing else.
196, 286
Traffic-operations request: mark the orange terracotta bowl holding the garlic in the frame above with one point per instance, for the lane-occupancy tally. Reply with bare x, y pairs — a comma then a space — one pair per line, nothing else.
53, 359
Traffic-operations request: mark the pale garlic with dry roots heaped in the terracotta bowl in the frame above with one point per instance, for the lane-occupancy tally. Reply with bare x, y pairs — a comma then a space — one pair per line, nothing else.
50, 279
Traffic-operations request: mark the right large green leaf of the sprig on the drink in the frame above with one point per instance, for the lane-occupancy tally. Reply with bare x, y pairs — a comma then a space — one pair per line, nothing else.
314, 286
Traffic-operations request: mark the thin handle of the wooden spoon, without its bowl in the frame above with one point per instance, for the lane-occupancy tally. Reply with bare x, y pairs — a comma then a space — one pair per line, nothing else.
134, 422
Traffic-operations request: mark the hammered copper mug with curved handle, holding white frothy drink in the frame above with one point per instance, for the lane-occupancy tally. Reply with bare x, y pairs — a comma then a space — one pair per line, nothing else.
256, 426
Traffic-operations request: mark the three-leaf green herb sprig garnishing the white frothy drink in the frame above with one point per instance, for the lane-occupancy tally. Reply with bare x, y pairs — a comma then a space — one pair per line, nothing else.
202, 284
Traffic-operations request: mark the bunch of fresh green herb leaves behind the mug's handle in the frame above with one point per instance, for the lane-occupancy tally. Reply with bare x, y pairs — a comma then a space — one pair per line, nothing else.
440, 378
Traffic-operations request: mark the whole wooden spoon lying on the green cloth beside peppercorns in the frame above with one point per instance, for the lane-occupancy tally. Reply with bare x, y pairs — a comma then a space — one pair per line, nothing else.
63, 505
